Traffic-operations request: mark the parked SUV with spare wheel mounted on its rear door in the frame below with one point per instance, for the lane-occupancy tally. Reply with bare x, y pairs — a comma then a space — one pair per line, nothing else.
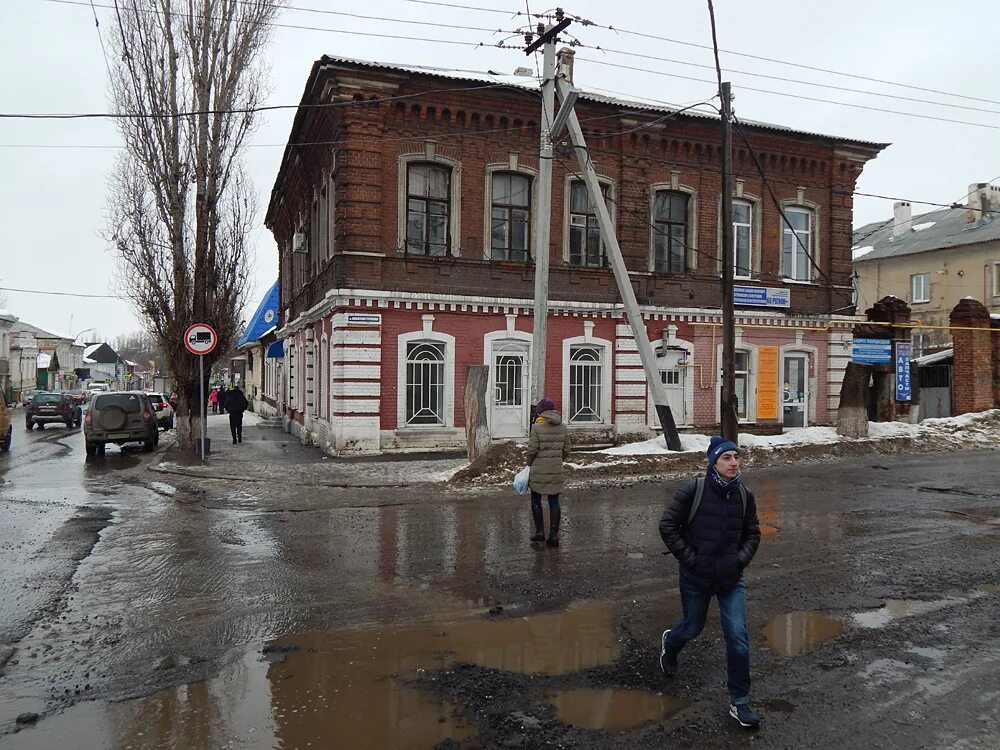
120, 417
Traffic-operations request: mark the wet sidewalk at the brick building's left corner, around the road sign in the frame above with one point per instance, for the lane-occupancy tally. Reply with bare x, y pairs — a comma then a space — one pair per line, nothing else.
268, 454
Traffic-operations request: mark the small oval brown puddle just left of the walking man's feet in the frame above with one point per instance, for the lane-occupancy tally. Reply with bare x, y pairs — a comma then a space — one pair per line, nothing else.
612, 710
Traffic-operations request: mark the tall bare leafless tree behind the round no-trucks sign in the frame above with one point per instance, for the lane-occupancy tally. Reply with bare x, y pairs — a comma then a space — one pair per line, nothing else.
186, 85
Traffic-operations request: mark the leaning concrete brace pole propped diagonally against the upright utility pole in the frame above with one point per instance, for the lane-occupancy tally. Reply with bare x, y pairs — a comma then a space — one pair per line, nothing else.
567, 96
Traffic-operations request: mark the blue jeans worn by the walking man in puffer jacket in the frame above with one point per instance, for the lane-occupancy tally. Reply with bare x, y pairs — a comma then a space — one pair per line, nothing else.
733, 609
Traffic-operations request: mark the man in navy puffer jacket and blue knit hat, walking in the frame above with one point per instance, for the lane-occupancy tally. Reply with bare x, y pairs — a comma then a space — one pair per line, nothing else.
713, 547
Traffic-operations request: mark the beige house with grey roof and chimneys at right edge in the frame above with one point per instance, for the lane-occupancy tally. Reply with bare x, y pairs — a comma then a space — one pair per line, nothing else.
933, 261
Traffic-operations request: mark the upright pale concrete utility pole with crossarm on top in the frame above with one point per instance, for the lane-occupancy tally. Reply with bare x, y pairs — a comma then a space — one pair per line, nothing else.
540, 239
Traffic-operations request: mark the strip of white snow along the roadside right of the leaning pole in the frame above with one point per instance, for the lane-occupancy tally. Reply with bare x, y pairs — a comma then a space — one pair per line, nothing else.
691, 443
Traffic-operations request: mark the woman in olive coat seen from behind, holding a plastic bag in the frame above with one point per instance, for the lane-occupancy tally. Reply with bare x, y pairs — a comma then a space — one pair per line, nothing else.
548, 447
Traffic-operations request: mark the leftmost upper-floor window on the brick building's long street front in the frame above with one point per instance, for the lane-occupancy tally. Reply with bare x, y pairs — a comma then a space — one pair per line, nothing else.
428, 208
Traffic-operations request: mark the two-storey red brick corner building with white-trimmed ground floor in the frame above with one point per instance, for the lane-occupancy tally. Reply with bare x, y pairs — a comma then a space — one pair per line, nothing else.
403, 213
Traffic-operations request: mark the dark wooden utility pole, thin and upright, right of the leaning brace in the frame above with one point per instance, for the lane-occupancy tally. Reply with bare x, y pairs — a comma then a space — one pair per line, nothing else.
730, 421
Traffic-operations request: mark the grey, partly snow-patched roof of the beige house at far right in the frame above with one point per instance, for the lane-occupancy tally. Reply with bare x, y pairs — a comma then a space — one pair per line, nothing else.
940, 229
